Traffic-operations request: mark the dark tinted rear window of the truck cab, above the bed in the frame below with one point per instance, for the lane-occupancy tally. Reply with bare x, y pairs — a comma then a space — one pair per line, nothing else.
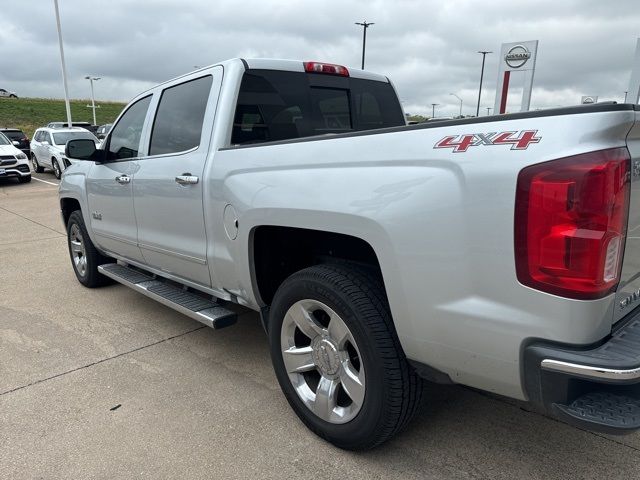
276, 105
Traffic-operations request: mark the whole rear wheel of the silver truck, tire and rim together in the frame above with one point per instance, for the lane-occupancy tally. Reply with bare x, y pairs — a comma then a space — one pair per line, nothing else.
338, 359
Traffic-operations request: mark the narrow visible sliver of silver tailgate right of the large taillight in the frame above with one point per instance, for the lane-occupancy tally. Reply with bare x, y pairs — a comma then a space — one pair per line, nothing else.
628, 293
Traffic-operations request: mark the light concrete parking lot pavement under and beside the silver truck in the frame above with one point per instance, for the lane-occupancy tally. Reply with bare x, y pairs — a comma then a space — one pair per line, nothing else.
109, 384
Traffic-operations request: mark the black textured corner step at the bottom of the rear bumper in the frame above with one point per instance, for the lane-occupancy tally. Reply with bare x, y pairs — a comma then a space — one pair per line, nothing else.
603, 412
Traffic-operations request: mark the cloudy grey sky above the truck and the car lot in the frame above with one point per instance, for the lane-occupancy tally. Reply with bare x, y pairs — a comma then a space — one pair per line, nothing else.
428, 48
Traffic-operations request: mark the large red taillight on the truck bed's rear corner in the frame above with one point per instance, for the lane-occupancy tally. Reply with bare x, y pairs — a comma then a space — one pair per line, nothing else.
570, 223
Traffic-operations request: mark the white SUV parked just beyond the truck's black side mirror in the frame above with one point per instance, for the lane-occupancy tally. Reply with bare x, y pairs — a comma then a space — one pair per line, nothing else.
47, 147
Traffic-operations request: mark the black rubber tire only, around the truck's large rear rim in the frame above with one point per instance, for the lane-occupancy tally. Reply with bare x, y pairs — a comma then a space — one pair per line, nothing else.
393, 390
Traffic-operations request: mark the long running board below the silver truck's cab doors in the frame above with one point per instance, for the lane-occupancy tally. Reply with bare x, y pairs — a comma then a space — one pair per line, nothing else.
189, 303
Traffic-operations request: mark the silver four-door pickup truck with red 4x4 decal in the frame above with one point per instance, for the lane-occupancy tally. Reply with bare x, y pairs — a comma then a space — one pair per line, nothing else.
502, 252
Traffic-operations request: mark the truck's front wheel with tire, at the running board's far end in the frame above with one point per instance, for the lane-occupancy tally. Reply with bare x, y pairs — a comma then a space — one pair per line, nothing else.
85, 258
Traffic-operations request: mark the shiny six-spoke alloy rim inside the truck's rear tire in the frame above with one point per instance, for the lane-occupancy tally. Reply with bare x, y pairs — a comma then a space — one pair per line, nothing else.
323, 361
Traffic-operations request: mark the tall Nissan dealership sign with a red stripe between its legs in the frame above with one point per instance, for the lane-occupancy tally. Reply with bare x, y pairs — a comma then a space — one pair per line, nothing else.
516, 57
